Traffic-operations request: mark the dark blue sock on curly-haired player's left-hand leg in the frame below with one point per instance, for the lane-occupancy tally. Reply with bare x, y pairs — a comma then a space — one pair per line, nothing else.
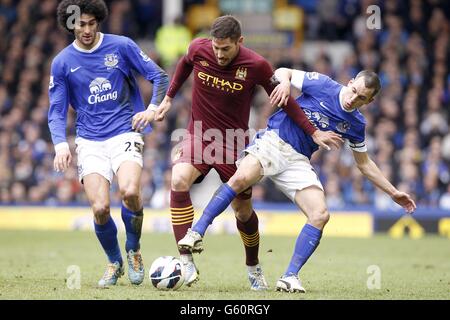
107, 235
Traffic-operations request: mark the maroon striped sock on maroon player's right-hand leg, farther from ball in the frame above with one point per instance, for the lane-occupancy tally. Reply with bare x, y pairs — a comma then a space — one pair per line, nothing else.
250, 237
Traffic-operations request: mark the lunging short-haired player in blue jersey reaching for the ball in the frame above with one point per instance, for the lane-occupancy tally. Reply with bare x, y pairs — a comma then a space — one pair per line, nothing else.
282, 153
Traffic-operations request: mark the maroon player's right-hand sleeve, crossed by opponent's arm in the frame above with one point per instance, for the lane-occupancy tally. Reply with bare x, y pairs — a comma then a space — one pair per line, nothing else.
292, 110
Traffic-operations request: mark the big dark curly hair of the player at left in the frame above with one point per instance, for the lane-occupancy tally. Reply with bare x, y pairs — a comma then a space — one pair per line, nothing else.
97, 8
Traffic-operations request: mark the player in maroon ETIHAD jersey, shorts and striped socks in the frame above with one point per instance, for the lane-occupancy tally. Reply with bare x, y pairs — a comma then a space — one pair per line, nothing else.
225, 77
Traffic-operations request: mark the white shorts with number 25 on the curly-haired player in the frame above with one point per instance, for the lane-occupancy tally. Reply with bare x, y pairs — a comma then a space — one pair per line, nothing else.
105, 157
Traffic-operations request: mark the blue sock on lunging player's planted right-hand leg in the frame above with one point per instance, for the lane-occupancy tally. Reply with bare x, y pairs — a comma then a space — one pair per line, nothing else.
307, 242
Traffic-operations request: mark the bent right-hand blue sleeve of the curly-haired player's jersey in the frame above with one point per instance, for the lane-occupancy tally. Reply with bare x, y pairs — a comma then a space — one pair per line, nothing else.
149, 69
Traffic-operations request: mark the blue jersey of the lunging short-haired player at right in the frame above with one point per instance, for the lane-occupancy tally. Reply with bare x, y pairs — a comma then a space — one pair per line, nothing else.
321, 102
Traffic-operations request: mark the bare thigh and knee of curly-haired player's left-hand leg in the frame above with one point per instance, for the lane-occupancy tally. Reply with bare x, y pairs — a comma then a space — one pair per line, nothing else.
97, 191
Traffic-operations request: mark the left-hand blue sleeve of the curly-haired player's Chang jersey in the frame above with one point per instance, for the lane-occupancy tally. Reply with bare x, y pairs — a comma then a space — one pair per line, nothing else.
59, 103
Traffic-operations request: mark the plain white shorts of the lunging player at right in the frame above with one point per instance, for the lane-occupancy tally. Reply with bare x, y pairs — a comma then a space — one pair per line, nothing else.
288, 169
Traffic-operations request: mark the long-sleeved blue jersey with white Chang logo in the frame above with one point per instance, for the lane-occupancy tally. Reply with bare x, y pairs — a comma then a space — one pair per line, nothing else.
100, 86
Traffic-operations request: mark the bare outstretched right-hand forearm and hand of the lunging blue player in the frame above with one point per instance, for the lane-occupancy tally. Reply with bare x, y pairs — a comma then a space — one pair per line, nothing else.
369, 169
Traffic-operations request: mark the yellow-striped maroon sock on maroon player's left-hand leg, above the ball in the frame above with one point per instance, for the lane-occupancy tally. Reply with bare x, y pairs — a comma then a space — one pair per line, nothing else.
182, 214
